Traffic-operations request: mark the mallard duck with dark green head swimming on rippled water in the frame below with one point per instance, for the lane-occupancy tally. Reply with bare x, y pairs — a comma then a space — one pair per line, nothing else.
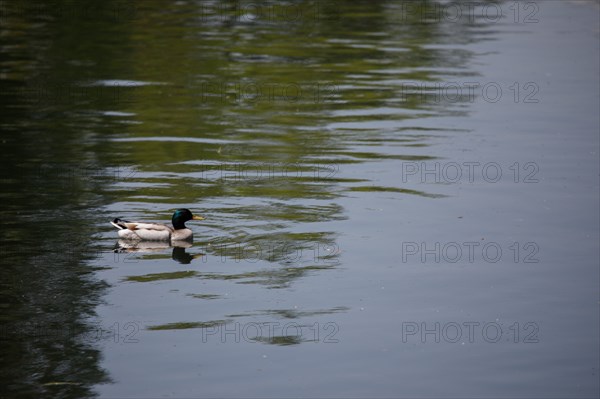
141, 231
